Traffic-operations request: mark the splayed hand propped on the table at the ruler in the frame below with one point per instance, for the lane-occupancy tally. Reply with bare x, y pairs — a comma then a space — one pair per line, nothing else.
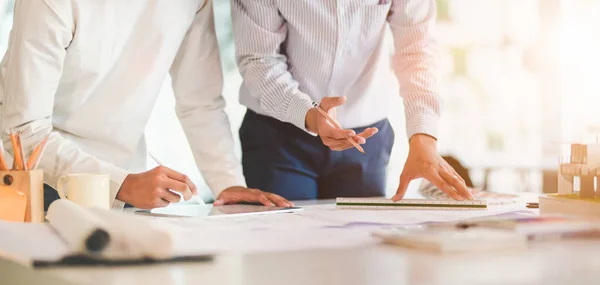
424, 162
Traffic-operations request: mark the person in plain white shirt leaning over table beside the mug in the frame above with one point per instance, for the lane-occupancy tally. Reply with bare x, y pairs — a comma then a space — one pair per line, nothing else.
87, 73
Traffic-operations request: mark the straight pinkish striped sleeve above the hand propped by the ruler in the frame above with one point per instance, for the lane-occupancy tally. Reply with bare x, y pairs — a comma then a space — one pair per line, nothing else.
415, 63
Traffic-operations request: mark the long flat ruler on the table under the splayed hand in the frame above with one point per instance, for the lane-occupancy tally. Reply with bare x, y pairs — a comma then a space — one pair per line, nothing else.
420, 204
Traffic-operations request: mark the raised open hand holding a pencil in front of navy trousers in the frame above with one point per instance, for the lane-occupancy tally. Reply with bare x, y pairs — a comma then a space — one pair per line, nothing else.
321, 120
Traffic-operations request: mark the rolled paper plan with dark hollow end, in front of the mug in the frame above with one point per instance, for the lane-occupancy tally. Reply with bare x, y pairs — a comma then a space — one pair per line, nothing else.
83, 231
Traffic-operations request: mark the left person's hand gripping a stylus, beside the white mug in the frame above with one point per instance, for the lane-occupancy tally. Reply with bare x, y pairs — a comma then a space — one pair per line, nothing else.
150, 189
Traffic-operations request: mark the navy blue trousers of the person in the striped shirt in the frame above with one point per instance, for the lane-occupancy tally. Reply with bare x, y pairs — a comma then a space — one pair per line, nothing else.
278, 157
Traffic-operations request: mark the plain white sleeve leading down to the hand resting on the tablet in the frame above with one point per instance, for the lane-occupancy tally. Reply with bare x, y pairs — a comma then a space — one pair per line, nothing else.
198, 83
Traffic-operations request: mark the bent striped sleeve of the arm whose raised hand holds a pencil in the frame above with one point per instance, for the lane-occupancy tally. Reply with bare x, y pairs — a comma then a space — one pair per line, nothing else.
259, 30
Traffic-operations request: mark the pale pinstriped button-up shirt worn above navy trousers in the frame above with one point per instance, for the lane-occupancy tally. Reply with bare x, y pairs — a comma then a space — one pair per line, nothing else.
291, 53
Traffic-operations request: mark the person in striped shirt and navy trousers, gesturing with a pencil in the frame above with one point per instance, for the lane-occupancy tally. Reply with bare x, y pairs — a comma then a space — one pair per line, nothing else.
294, 53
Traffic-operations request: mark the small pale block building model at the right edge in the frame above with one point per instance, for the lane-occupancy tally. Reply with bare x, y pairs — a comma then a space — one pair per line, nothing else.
583, 165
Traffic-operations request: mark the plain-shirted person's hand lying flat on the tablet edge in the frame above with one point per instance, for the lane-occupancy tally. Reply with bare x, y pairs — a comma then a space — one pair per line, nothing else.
239, 194
